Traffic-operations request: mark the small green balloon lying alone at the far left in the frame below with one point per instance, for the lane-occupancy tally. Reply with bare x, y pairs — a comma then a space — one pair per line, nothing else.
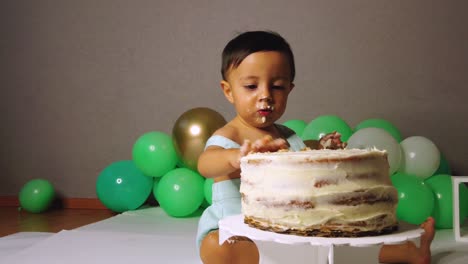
36, 195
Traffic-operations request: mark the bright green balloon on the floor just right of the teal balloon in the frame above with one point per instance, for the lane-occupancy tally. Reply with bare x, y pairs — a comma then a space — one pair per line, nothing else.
180, 192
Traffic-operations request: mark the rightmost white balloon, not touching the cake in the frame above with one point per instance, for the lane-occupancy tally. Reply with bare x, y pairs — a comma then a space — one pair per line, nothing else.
421, 157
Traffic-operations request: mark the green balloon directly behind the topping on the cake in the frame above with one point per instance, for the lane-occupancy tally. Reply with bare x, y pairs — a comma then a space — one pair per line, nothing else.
325, 124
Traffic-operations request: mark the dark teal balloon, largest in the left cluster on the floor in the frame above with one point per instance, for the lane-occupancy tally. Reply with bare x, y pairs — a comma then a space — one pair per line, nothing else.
121, 186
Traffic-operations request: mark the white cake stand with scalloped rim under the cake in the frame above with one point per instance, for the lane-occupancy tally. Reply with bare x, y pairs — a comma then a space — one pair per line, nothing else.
235, 226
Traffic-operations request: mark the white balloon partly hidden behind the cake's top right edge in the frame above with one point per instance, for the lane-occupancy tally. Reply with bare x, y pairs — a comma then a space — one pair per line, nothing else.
373, 137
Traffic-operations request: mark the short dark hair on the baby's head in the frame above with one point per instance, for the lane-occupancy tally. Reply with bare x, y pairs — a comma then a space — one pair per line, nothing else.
254, 41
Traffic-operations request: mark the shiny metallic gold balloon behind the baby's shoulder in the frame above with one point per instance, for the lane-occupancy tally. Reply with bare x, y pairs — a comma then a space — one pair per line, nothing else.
191, 131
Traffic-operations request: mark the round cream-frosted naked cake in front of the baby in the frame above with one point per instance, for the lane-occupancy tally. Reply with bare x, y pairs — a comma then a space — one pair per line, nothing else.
328, 193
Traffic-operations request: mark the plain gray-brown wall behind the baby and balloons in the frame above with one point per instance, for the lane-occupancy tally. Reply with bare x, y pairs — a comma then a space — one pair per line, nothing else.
82, 80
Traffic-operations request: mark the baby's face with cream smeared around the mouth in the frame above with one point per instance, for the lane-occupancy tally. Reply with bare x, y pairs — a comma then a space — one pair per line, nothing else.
259, 87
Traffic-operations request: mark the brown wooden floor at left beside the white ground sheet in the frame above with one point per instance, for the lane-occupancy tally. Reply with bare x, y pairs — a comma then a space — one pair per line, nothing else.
13, 220
